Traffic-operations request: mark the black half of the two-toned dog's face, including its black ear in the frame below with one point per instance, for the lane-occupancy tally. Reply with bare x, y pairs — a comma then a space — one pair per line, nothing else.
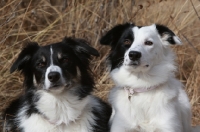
120, 39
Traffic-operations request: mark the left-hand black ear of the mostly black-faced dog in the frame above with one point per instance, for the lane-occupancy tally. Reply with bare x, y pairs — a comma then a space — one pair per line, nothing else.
24, 57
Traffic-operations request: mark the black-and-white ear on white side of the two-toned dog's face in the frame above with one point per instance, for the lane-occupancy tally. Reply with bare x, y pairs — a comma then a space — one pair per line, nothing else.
167, 36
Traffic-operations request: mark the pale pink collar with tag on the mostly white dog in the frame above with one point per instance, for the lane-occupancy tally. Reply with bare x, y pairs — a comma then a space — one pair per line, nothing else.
131, 91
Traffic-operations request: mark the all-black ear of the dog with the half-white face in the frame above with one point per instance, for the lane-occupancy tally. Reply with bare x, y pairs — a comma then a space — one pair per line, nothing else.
114, 34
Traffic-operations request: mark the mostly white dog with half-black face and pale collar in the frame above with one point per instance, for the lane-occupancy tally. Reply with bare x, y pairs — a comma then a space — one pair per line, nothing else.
147, 97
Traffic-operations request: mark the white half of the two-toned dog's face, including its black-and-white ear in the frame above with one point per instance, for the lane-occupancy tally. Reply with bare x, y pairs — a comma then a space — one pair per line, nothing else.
150, 47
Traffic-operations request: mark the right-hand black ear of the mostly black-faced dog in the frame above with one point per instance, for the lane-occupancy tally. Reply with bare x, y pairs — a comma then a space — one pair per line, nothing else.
81, 46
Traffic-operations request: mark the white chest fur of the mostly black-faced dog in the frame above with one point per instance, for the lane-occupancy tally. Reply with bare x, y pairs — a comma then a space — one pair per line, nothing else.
61, 113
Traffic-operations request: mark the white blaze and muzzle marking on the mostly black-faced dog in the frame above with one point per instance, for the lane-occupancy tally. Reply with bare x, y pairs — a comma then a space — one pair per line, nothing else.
51, 68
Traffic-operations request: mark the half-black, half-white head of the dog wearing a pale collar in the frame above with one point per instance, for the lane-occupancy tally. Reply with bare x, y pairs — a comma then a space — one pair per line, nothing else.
139, 48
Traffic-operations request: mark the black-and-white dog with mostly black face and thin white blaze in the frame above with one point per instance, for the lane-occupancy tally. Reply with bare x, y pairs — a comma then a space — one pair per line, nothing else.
58, 87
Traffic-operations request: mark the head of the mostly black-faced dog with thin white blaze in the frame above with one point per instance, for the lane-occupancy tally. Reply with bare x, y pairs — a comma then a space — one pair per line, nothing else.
57, 66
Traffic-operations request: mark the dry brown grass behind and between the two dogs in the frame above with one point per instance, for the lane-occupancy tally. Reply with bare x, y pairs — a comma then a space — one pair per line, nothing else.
48, 21
